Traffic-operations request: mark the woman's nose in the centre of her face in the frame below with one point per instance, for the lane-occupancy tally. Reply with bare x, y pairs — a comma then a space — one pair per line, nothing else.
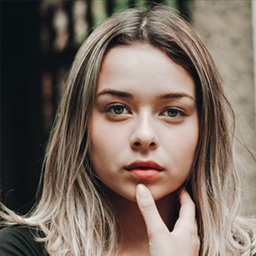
144, 136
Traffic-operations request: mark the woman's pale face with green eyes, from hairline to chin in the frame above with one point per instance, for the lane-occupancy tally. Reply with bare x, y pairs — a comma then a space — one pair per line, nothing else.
144, 125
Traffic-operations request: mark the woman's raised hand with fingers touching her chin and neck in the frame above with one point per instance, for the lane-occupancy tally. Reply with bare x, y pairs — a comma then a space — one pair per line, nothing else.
183, 240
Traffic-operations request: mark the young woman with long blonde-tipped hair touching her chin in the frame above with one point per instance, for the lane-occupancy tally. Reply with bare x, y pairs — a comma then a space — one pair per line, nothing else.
140, 159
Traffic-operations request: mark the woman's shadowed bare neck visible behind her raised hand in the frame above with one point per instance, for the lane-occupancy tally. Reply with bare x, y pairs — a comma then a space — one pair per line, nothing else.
134, 238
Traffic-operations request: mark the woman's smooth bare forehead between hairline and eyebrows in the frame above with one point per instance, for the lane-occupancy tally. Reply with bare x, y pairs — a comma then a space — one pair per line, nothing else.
142, 68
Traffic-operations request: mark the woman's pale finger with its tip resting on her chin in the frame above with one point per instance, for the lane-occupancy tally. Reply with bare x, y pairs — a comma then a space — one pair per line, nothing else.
147, 206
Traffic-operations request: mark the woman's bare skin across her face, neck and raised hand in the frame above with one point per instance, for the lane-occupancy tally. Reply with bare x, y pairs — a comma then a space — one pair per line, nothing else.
144, 134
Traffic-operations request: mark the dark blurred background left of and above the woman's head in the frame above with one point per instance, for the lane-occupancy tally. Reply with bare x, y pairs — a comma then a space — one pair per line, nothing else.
34, 60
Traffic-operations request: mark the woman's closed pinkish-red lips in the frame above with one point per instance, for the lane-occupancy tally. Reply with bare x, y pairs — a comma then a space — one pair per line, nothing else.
144, 170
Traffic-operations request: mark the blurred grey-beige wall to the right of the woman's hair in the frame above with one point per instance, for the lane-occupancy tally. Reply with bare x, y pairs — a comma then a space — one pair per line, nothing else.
226, 29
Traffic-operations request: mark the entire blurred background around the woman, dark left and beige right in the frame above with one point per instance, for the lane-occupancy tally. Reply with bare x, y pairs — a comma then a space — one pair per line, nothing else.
38, 42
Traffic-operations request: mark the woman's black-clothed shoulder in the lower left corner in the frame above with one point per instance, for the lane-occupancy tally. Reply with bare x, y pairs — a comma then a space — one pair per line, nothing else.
18, 240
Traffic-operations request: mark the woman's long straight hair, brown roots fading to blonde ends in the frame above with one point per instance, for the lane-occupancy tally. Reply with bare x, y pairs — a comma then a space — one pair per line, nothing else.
73, 212
